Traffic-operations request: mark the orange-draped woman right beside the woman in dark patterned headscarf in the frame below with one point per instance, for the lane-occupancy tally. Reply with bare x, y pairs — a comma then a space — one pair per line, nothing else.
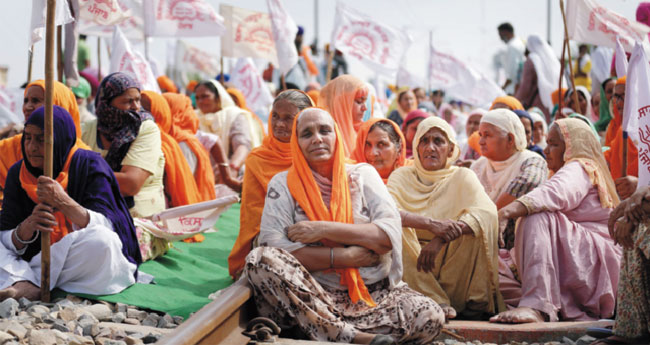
180, 186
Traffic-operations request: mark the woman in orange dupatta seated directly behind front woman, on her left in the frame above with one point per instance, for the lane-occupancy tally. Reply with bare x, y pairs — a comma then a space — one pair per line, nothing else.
272, 157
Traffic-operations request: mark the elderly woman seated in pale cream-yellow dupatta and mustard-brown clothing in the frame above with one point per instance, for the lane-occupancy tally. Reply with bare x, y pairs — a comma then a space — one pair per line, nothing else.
450, 209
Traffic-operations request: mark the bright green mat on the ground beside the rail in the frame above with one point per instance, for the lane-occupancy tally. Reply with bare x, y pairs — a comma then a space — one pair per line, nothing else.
187, 274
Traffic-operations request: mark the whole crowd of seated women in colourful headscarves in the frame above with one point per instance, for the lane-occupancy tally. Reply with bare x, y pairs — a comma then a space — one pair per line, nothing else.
354, 227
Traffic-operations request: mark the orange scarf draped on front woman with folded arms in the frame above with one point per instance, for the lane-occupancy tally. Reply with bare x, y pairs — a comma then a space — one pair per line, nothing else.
305, 191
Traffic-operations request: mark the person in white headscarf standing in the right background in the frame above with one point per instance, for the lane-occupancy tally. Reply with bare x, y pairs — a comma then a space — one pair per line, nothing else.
539, 76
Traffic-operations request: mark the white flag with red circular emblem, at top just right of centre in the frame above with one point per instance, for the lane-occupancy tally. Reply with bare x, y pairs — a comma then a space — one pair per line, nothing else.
380, 47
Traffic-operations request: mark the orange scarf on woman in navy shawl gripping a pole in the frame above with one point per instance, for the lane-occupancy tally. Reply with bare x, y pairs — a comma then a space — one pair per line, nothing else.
29, 183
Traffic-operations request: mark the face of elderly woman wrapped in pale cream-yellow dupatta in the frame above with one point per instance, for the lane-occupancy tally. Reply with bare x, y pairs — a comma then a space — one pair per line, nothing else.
434, 149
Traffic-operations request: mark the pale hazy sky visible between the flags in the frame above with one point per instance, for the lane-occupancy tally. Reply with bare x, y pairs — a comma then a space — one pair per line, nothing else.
463, 28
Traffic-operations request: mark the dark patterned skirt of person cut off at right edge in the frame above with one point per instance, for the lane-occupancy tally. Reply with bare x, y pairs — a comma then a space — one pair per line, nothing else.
633, 305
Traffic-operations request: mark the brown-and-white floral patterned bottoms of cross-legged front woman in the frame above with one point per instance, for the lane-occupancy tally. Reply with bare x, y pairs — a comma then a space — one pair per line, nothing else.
285, 292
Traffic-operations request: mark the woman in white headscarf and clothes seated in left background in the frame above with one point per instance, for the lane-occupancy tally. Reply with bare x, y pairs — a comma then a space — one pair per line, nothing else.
218, 114
